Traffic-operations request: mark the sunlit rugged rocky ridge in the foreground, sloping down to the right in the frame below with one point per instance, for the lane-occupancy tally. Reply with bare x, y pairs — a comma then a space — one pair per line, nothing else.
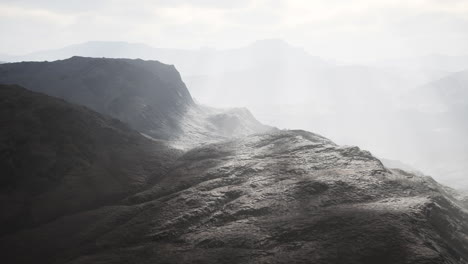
285, 197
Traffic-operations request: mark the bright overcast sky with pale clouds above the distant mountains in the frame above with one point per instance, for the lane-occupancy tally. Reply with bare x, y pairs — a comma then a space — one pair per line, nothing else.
349, 30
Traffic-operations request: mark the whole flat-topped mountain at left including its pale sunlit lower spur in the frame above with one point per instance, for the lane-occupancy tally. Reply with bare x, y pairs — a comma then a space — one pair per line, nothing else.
148, 95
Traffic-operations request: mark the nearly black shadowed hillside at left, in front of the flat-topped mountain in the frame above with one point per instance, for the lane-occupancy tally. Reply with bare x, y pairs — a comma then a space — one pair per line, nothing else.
57, 158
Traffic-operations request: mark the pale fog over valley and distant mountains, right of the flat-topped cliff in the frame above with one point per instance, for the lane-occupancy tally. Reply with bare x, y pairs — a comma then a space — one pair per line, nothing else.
411, 110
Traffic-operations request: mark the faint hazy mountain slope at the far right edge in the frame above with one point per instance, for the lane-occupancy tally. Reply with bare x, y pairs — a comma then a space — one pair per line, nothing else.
440, 110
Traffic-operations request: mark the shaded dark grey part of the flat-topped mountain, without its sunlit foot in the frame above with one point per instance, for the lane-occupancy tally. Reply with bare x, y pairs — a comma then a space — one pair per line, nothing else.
148, 95
